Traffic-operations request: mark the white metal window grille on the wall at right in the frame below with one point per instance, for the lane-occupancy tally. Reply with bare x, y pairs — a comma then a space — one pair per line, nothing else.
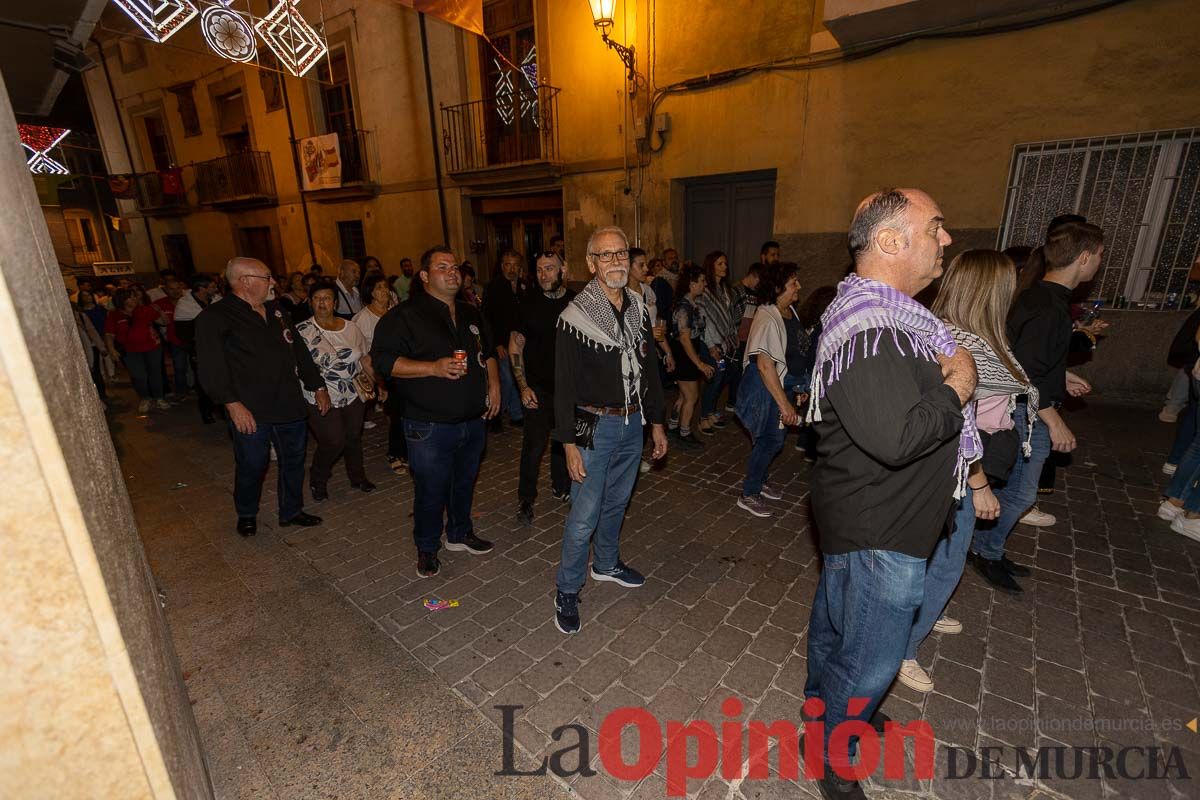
1142, 189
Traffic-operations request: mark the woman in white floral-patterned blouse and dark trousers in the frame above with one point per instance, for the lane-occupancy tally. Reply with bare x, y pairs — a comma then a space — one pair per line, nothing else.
340, 352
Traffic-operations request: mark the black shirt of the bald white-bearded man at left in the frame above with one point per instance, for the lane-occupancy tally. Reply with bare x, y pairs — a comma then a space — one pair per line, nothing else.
244, 358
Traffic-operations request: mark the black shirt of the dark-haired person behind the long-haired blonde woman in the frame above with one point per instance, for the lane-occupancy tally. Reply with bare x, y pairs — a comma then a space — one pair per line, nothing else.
1040, 334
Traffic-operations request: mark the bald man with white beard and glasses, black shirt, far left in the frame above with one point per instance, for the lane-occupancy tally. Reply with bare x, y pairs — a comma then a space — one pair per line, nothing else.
249, 357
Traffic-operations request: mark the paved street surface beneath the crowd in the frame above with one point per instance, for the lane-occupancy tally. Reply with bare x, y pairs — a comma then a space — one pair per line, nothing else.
316, 671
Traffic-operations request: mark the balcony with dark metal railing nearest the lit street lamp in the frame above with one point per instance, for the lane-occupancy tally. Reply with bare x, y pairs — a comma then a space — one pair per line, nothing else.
505, 137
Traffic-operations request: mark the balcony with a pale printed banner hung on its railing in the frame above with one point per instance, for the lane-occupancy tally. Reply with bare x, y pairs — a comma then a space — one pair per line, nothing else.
351, 172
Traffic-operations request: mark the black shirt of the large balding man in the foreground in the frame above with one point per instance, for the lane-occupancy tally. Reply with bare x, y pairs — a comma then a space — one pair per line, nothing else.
886, 455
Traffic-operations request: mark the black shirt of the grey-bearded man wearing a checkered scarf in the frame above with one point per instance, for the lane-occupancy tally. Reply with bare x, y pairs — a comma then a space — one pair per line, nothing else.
591, 376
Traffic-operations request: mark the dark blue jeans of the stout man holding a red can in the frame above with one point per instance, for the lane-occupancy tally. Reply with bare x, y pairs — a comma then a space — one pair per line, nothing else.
445, 461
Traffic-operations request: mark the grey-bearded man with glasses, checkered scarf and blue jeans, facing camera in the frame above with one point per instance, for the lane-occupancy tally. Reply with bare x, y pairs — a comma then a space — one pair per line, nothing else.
607, 388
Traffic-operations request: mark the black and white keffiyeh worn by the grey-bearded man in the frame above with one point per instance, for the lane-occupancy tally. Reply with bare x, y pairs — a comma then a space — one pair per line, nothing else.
591, 317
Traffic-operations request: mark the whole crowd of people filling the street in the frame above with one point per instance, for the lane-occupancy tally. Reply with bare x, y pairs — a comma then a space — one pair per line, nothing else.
931, 416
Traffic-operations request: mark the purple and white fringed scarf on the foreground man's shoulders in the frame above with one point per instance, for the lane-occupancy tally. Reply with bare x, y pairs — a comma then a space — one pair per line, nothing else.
866, 310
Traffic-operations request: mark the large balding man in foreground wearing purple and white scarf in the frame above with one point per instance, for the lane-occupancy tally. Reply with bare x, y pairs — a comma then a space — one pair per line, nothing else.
895, 454
